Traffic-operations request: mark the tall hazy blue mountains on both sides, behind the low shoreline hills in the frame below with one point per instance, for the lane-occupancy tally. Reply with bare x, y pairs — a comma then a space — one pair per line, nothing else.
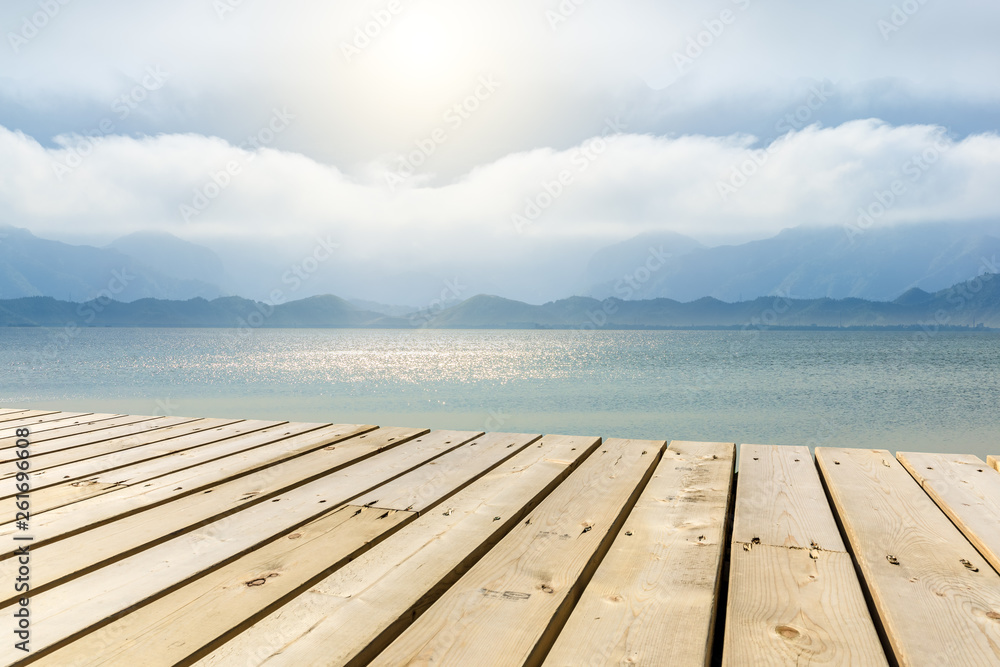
802, 263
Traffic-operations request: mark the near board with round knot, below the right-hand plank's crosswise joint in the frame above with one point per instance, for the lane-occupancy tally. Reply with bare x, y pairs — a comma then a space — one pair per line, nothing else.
797, 607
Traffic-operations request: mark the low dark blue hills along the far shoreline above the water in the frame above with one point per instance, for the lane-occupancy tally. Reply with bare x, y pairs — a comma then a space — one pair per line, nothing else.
974, 303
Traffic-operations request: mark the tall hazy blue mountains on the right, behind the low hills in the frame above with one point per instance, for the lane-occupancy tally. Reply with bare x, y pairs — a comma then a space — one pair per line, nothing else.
878, 264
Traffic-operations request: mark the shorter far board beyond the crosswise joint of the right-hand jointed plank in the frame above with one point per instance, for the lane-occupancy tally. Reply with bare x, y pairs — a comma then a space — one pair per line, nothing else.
777, 500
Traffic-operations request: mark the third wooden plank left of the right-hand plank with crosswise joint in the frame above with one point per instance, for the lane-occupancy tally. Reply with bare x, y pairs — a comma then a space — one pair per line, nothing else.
351, 615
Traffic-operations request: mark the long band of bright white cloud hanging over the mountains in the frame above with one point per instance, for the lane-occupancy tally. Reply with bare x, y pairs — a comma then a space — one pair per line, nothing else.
613, 187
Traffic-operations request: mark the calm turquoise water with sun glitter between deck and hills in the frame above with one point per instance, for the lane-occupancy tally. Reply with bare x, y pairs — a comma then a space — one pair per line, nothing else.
933, 391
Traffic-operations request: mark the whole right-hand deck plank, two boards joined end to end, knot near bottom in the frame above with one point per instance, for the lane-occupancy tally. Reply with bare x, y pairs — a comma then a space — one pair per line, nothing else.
793, 593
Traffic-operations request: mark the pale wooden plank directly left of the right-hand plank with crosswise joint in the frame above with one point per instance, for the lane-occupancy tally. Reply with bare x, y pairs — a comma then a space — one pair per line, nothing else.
652, 601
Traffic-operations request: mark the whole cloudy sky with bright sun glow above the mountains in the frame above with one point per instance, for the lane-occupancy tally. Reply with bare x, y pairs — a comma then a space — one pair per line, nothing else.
512, 139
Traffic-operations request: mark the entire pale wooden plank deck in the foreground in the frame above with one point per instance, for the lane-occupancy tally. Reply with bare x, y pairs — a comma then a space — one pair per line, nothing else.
169, 540
